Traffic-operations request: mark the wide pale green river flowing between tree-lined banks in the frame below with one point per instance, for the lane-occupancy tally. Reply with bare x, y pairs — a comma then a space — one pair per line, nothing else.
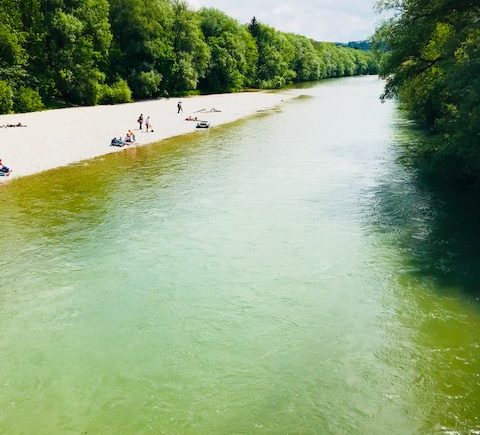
284, 274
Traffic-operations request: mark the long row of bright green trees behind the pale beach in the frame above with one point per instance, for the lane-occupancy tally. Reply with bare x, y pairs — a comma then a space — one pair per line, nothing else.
87, 52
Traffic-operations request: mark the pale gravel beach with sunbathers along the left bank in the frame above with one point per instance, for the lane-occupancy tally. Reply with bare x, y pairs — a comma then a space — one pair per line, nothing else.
60, 137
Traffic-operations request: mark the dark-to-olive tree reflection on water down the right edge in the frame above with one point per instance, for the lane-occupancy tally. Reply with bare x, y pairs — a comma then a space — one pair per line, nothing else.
437, 289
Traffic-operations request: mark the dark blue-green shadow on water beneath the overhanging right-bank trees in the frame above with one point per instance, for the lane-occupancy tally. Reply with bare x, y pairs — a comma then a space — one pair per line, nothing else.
435, 226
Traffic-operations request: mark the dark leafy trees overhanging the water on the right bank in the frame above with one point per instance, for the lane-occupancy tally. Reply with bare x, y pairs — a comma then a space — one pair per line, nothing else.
432, 63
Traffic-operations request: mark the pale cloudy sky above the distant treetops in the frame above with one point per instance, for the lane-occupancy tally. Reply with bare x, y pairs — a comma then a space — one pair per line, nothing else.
322, 20
